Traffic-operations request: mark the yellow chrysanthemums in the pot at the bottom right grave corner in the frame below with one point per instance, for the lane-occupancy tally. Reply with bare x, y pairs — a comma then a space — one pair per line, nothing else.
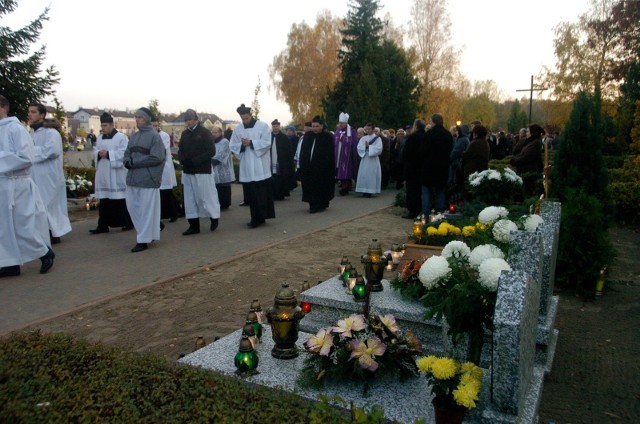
453, 383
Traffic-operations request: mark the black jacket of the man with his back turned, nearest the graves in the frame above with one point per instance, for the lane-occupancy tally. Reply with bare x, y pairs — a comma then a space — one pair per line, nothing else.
434, 153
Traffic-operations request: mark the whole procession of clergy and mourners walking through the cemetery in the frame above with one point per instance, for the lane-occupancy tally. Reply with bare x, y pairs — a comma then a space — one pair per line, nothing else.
135, 175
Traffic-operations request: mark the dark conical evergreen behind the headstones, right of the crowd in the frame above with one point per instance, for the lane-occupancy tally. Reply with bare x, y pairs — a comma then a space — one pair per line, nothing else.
578, 162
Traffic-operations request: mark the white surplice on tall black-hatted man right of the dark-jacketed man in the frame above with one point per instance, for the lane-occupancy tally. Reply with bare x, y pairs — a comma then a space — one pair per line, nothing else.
255, 161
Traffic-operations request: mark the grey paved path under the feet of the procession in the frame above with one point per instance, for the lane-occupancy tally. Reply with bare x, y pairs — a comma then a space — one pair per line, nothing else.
91, 268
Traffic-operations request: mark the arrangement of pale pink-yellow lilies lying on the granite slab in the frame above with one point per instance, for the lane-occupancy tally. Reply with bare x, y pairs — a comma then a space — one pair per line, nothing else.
359, 347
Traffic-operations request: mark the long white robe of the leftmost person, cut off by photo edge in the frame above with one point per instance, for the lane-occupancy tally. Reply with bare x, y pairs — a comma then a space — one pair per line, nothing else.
23, 224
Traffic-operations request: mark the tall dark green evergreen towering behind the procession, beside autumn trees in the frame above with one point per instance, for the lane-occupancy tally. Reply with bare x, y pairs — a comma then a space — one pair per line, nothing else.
376, 83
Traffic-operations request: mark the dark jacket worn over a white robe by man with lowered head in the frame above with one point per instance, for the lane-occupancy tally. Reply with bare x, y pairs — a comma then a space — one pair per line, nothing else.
197, 147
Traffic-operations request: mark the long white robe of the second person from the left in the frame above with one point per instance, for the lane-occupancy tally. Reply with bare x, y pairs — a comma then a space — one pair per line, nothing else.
48, 174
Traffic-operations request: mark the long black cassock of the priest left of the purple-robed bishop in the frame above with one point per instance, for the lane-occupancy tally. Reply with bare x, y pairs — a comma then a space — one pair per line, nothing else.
317, 169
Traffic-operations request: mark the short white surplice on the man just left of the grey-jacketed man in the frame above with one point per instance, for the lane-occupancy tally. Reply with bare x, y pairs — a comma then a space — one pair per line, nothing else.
111, 175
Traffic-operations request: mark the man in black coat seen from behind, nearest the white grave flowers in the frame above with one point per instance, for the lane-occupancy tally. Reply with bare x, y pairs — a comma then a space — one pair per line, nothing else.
434, 172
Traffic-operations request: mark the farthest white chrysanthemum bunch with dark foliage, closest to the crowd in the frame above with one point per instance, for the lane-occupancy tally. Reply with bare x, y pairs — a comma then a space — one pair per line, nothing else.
495, 187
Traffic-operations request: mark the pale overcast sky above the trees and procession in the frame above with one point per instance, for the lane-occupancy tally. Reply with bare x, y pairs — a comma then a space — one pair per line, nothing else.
208, 55
